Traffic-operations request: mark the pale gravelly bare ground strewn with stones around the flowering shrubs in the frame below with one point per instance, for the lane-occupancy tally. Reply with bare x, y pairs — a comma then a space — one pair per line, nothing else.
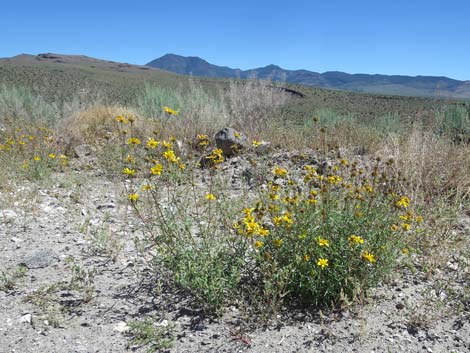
72, 281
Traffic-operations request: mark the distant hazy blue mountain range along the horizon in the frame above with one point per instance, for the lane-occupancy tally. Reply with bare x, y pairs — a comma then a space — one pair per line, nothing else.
425, 86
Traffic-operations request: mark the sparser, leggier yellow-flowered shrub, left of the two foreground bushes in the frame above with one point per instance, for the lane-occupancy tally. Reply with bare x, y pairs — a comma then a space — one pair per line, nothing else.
184, 224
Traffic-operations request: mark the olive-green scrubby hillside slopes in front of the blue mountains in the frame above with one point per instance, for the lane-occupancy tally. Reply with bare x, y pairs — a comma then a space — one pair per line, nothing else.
60, 78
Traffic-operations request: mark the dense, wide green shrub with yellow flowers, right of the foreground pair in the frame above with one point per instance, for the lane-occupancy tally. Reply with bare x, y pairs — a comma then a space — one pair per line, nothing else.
325, 235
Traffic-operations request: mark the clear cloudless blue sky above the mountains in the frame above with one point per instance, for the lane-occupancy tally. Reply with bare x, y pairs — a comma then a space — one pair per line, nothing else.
411, 37
